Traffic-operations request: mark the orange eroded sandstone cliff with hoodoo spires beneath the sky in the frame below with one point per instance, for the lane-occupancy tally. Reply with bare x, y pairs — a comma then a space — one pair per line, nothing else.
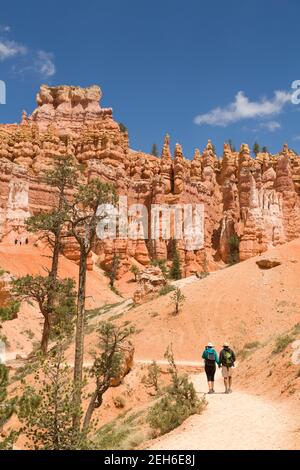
254, 199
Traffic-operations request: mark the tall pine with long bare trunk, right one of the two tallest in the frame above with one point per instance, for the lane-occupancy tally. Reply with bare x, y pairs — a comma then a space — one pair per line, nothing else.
84, 214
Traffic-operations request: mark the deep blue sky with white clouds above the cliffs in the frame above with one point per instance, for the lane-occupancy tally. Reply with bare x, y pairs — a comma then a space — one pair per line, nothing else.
195, 69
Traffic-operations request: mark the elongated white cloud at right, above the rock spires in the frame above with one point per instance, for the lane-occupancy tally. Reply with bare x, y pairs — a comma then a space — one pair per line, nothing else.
243, 108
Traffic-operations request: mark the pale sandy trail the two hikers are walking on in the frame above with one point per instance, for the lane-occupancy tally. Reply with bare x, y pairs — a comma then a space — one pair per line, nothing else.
238, 421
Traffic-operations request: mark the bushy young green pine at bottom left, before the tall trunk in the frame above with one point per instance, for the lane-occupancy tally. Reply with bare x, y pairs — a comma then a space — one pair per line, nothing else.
46, 409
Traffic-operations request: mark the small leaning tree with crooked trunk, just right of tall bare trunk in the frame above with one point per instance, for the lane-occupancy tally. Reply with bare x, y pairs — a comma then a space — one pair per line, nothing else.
108, 366
